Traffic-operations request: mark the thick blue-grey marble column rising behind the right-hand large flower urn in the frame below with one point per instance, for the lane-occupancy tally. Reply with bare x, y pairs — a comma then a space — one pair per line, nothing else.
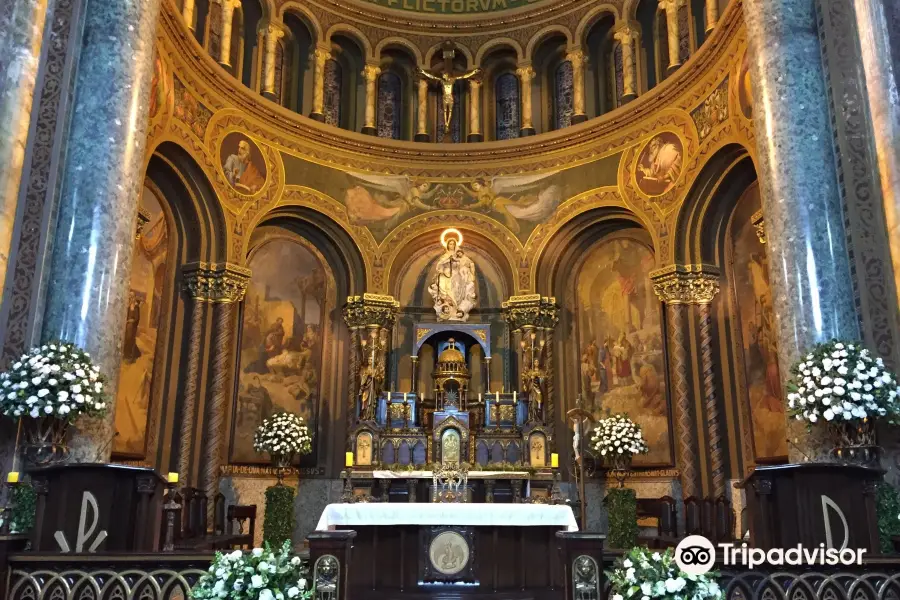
812, 291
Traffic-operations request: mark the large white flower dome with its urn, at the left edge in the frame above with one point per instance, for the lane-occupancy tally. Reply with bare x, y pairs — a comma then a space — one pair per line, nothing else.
47, 389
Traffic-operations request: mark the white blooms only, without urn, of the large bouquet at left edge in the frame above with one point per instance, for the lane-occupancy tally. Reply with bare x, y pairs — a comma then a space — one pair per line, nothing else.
56, 380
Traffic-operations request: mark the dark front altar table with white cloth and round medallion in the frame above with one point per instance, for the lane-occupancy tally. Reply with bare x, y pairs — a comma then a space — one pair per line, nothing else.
474, 550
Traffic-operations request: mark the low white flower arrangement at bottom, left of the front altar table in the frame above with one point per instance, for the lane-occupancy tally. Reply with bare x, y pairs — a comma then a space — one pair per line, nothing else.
261, 574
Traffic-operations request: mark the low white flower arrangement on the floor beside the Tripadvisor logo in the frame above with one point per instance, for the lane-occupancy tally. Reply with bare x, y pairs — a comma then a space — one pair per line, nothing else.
643, 574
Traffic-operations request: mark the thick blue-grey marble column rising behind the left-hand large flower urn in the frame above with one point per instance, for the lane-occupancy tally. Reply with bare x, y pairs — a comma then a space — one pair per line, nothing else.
87, 289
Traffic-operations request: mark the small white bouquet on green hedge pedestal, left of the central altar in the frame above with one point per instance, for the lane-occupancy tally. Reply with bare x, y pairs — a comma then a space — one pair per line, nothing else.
283, 436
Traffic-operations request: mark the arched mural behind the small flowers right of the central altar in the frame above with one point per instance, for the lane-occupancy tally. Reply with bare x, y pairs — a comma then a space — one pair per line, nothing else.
620, 341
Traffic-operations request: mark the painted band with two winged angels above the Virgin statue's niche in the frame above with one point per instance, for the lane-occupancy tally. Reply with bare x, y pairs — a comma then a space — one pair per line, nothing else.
519, 202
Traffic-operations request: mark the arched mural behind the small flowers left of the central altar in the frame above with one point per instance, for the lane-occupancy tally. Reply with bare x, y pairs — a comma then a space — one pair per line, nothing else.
281, 341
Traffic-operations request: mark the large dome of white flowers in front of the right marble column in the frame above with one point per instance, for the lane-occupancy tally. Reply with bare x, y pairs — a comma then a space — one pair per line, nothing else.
841, 382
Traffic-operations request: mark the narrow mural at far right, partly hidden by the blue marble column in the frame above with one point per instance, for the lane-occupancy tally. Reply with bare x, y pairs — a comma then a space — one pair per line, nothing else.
753, 299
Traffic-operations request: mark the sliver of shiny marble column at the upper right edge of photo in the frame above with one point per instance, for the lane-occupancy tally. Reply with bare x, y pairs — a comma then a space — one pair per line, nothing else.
875, 33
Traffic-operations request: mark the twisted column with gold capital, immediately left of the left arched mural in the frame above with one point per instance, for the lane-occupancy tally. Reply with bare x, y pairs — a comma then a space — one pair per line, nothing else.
223, 286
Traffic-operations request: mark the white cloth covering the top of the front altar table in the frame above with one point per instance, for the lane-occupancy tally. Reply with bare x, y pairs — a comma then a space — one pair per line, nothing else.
386, 513
